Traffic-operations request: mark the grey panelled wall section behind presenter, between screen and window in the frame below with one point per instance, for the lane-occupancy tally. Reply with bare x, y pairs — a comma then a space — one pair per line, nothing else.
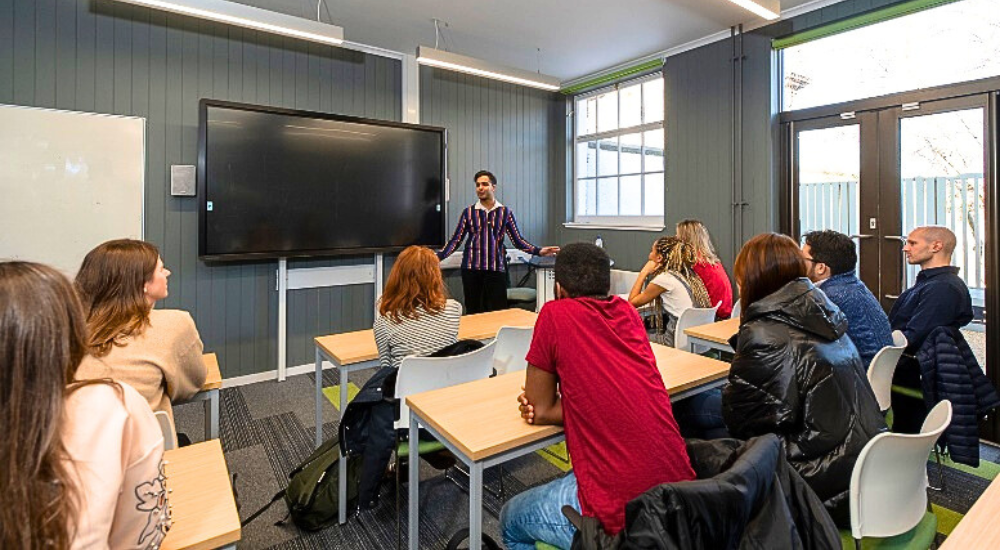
503, 128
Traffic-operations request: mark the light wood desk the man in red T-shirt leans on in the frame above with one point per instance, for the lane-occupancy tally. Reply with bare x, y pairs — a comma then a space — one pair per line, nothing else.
480, 424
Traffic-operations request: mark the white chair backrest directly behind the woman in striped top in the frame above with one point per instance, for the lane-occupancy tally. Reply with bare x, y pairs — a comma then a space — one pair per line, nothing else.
420, 374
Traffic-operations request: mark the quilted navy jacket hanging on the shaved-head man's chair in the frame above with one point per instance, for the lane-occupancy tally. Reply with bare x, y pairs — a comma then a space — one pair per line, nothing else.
949, 370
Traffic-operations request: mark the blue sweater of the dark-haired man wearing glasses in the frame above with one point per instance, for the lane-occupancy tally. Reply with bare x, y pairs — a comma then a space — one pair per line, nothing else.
867, 325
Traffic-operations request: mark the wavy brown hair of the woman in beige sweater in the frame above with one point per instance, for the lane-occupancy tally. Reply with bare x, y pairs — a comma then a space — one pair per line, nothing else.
110, 283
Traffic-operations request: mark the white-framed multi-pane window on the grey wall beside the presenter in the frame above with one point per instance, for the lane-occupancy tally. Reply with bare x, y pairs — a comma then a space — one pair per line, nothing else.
618, 146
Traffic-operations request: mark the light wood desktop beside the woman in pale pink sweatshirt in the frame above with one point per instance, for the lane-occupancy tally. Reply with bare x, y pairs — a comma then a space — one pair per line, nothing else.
201, 498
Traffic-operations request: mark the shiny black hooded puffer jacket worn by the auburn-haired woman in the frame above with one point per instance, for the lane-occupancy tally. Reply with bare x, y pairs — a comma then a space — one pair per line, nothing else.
798, 375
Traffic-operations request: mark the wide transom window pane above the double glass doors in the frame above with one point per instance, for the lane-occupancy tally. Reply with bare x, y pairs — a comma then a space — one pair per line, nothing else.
953, 43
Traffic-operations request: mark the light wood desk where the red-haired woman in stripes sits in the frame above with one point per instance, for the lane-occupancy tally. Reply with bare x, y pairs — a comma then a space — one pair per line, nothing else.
353, 351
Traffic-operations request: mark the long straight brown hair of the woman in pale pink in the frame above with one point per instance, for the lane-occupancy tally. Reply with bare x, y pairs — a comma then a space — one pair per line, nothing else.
42, 341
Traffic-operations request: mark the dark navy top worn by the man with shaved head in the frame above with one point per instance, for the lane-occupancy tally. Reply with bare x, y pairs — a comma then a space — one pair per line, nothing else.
939, 298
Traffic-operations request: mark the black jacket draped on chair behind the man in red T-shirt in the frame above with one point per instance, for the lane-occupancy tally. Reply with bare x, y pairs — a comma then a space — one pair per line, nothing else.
746, 496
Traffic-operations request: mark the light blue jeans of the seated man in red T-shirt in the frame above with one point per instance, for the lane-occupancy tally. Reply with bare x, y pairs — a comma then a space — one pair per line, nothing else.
536, 515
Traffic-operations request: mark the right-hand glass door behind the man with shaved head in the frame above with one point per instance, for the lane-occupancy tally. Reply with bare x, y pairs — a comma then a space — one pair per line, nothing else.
934, 173
